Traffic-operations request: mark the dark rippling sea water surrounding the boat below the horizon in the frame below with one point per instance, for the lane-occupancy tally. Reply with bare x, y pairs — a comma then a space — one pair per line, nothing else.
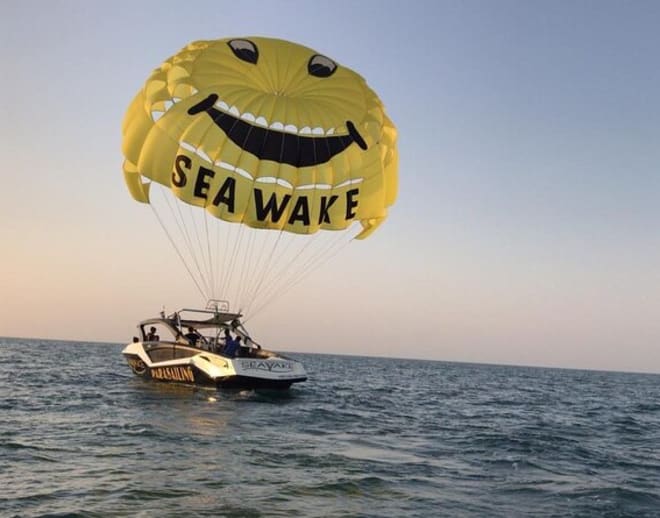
80, 435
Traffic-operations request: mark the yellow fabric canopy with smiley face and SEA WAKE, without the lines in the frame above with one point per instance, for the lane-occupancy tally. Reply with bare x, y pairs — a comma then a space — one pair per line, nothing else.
263, 132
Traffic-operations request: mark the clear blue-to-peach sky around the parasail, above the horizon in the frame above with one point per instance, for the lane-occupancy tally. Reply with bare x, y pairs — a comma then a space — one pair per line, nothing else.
526, 226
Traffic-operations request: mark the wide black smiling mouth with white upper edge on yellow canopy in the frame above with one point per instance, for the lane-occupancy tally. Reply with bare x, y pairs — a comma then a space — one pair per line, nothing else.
286, 146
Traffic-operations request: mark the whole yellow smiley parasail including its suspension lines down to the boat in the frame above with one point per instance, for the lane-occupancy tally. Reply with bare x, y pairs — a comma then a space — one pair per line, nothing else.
260, 158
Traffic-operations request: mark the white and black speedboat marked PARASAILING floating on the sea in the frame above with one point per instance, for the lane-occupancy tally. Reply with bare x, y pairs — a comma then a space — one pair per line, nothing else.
208, 347
